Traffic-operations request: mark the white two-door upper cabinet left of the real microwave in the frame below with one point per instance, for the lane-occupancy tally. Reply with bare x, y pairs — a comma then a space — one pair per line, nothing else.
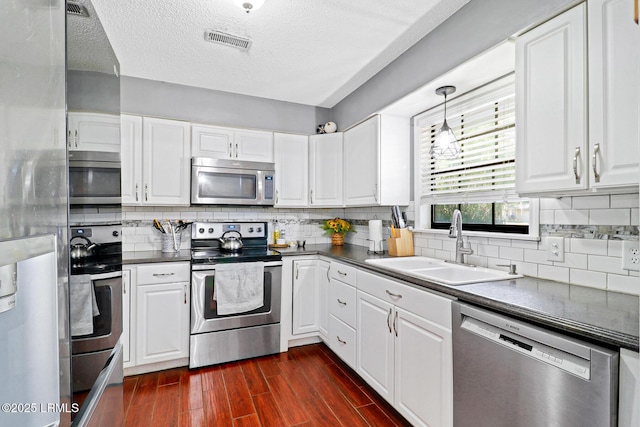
156, 162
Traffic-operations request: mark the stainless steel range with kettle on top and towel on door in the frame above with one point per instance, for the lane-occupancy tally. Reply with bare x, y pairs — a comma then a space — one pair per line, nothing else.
235, 293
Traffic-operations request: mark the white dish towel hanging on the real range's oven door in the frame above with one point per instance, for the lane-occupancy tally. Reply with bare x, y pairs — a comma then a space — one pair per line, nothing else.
239, 287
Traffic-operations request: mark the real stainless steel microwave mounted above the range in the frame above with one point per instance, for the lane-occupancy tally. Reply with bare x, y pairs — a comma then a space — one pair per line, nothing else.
231, 182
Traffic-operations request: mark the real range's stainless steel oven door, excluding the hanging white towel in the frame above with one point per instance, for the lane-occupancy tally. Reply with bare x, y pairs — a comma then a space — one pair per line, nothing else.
204, 317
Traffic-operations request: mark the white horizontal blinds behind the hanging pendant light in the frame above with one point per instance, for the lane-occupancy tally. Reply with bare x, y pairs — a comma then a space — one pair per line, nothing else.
483, 121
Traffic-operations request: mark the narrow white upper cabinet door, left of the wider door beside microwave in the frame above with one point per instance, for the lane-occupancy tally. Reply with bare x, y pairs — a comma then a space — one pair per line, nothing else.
131, 160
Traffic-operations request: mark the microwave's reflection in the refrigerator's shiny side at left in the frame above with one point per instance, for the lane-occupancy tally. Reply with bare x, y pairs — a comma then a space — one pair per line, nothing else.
94, 178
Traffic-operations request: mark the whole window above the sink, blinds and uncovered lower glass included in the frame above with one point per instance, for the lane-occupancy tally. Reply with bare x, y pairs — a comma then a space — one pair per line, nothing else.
481, 180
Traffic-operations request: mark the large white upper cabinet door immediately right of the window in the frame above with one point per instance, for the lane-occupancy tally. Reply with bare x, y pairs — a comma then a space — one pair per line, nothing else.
551, 106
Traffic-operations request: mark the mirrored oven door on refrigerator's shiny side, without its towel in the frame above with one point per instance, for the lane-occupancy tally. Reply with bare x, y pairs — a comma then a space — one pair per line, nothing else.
107, 326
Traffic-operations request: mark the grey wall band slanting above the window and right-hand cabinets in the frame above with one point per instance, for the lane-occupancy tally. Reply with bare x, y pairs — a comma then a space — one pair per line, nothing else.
475, 28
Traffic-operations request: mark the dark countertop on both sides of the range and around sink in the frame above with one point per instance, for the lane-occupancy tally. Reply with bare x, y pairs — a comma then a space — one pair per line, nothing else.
605, 317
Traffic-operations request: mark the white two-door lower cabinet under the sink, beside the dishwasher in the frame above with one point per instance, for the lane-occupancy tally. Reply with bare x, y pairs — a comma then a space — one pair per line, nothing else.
404, 348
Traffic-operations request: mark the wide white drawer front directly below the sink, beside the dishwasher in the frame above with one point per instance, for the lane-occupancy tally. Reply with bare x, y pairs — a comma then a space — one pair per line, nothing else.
424, 303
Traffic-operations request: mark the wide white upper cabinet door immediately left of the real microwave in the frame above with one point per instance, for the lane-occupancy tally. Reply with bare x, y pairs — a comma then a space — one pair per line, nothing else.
166, 153
